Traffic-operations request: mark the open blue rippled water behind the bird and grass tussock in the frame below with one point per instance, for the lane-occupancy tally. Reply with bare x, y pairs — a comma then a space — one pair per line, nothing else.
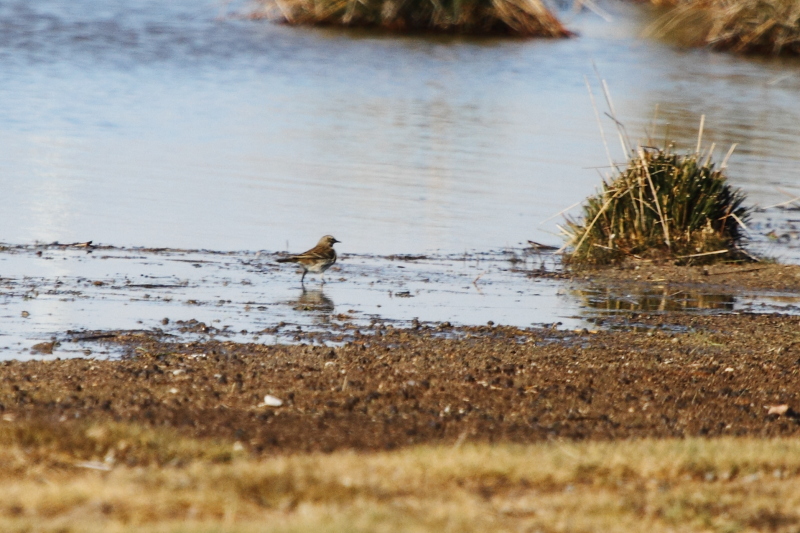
181, 125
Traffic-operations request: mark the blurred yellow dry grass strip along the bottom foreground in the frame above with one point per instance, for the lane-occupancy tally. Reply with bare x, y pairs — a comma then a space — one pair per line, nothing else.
655, 485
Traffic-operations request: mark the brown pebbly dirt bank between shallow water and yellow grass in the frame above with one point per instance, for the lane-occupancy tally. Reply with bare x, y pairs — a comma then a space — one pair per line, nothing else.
717, 376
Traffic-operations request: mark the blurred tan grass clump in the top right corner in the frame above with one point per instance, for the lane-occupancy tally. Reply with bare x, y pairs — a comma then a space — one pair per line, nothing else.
744, 26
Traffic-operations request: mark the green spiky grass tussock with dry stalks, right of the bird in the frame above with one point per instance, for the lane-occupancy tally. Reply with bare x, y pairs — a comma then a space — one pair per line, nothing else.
663, 206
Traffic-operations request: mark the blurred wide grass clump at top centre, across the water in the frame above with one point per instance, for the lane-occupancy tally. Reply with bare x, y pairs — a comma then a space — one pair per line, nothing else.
529, 18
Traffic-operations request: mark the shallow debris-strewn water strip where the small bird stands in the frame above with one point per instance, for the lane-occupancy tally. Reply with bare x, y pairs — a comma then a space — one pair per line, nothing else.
64, 294
